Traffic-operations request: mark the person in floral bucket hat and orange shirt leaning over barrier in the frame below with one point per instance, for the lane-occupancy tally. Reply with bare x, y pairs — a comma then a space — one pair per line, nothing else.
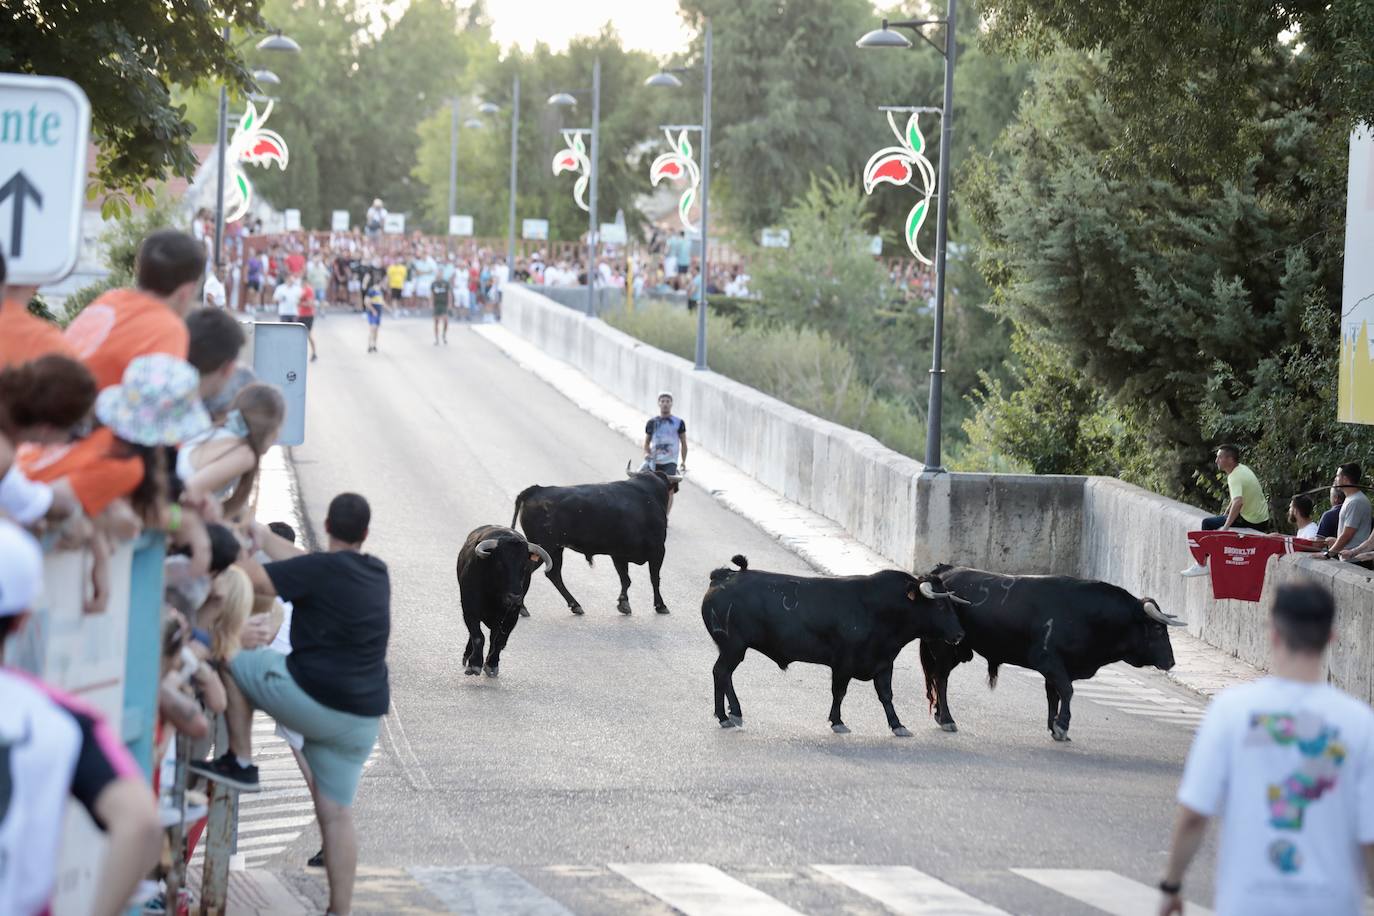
156, 406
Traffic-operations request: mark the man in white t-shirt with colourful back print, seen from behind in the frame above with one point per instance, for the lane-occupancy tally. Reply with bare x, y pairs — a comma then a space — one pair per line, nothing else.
1288, 764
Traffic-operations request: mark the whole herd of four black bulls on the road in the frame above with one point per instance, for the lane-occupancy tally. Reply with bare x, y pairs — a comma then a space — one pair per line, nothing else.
857, 626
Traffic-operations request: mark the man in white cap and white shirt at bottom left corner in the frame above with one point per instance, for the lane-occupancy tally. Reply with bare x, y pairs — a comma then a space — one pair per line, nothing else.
56, 748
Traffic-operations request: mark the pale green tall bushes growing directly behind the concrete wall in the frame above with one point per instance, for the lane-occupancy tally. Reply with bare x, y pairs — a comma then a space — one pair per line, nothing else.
799, 366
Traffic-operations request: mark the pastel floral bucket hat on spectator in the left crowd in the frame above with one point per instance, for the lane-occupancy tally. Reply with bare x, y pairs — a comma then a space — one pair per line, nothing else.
159, 403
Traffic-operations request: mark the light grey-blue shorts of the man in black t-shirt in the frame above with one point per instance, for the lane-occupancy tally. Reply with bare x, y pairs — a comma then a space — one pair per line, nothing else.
336, 744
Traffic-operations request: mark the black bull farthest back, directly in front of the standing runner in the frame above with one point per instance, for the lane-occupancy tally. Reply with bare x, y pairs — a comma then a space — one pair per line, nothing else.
624, 520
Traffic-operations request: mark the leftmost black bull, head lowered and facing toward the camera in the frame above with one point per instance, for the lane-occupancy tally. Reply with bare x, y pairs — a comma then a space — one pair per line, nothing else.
494, 571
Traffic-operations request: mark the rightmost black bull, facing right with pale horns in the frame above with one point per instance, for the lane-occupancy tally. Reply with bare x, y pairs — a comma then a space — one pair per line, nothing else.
1064, 628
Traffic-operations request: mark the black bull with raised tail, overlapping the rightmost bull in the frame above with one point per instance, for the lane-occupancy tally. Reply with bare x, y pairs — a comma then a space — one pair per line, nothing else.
857, 626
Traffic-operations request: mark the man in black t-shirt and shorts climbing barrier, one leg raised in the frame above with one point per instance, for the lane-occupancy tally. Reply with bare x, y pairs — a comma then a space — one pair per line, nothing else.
333, 689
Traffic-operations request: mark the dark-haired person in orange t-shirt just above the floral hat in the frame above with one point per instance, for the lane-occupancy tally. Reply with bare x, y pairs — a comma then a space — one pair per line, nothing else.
124, 325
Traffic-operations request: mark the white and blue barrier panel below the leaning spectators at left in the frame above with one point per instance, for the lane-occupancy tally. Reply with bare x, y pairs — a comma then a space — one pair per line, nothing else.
112, 663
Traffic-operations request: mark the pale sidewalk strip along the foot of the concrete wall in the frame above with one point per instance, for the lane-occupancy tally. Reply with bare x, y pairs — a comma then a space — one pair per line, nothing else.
828, 547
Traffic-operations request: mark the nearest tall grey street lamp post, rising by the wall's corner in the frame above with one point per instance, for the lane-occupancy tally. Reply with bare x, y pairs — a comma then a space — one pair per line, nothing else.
887, 39
